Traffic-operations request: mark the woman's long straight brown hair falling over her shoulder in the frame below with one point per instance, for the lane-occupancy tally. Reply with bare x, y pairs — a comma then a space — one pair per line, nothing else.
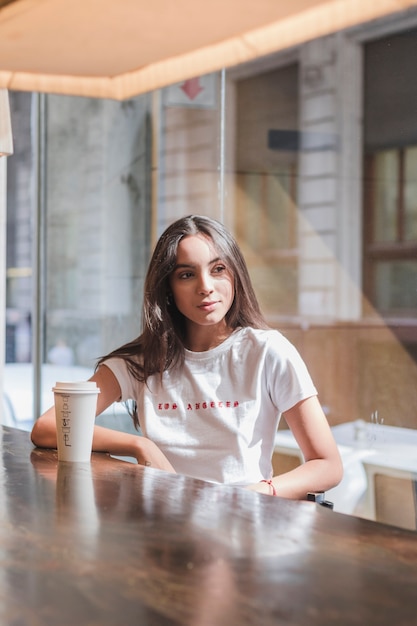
160, 346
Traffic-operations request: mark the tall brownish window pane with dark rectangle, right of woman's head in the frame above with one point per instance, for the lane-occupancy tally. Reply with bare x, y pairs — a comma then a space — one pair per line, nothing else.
266, 185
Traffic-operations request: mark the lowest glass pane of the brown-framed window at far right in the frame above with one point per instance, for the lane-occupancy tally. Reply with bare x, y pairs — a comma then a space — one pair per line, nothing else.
396, 285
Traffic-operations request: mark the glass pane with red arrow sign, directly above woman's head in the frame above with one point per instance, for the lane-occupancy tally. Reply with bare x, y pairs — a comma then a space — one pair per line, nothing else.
188, 161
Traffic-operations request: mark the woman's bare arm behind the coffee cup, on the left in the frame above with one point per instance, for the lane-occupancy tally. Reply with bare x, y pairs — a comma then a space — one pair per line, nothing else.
104, 440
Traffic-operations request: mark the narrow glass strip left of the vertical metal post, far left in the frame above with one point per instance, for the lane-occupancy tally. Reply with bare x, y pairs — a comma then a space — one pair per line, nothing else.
17, 377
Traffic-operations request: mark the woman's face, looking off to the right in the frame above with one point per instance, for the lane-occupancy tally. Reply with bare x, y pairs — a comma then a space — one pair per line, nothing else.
202, 284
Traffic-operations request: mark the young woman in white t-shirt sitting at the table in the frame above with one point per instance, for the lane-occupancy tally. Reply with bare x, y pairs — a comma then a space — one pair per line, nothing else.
208, 378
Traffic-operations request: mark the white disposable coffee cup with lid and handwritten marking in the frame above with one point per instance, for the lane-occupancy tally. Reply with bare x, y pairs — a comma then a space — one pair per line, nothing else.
75, 412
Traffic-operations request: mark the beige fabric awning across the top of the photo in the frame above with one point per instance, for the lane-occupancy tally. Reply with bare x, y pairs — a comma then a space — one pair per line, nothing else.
122, 48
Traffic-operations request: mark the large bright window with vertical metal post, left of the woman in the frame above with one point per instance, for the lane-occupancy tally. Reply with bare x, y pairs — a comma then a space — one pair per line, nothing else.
78, 241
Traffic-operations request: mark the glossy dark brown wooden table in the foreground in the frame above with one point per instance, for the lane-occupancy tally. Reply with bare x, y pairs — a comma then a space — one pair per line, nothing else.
115, 543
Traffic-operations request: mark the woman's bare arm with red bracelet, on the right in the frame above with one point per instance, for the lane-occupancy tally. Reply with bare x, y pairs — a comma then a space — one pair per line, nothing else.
322, 468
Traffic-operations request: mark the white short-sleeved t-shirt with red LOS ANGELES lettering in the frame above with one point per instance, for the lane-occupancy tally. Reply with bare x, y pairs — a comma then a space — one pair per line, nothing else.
216, 418
